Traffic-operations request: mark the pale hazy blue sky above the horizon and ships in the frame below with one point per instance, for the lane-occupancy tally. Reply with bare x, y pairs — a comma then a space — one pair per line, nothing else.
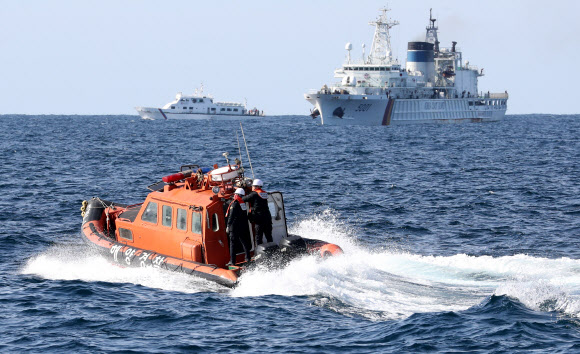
106, 57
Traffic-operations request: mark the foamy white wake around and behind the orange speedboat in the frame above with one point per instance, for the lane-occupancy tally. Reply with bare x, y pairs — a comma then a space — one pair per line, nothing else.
385, 284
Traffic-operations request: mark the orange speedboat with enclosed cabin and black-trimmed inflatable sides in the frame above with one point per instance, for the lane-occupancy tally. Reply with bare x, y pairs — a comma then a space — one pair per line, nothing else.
181, 226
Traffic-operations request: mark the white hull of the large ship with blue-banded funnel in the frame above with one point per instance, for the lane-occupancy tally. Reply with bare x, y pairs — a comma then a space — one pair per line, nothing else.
381, 110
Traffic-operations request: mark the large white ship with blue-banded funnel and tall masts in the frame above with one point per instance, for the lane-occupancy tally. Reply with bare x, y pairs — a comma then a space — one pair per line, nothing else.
435, 85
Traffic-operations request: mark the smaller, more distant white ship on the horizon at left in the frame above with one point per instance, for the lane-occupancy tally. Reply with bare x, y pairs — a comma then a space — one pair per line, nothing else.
198, 106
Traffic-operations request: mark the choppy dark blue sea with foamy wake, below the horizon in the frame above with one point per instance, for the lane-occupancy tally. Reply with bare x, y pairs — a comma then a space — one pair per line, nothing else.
457, 238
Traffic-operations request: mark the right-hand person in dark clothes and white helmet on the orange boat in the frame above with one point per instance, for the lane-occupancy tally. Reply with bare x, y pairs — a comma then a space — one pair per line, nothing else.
261, 216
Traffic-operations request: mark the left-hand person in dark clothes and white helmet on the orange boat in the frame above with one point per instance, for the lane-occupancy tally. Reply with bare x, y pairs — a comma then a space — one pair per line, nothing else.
237, 227
